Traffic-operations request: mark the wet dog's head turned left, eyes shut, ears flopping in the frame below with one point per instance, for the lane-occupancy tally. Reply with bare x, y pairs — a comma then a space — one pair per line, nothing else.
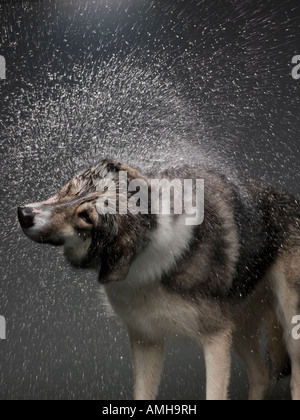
91, 238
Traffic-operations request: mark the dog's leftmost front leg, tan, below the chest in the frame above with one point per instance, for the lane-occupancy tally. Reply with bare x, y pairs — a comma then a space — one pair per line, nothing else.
148, 360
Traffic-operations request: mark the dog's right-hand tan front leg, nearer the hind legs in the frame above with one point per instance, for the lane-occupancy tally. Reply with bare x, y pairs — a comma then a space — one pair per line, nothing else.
217, 351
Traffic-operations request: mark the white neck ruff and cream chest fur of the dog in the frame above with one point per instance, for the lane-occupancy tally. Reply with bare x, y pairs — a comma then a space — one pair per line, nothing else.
140, 301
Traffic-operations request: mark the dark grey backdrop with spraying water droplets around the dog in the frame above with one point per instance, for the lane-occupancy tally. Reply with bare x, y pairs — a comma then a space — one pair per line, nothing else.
143, 80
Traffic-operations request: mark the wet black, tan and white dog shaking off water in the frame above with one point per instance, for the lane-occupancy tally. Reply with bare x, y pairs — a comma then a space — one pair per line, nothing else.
216, 282
